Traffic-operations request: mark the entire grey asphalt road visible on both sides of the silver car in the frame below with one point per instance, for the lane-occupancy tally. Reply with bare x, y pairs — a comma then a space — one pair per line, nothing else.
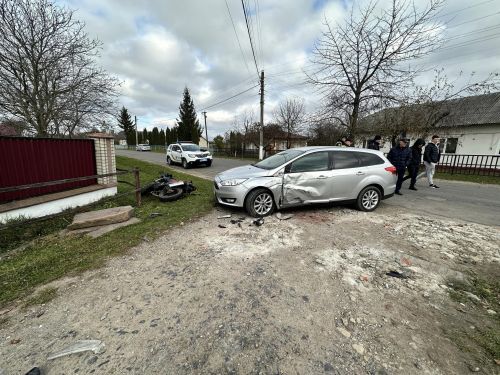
455, 200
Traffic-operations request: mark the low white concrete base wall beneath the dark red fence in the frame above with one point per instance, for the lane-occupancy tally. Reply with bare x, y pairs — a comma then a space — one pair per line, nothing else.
54, 207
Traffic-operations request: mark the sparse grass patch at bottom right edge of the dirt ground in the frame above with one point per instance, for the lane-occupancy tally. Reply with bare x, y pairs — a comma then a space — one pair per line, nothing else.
486, 335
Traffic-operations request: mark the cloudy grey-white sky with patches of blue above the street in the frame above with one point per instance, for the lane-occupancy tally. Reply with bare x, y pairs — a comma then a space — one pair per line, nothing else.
157, 47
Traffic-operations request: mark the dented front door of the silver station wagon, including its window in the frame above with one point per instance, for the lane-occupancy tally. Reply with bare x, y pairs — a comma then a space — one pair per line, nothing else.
308, 180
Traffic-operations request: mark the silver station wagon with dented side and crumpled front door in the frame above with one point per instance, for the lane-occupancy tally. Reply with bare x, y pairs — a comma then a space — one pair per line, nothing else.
308, 175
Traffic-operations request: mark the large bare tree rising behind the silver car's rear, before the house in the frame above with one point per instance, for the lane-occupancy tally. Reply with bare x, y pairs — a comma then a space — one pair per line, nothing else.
362, 61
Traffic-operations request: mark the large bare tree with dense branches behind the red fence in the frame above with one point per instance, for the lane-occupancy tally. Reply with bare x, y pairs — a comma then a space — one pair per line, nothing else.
48, 75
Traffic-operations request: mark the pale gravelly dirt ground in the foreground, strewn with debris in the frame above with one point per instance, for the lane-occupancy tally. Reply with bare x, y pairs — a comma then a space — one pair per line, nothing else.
308, 295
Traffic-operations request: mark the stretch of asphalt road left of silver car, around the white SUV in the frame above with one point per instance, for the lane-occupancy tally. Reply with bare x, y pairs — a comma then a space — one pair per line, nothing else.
218, 164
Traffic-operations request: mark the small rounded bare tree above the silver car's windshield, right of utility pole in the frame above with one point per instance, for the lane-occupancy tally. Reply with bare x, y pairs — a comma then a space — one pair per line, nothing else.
289, 115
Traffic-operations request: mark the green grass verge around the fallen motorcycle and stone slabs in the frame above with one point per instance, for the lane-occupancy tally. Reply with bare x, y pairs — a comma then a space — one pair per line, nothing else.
50, 256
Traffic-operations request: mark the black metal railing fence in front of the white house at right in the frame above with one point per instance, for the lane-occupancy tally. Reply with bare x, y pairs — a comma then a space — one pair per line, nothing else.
480, 165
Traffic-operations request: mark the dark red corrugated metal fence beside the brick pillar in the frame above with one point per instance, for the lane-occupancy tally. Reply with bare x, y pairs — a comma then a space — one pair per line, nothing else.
30, 160
